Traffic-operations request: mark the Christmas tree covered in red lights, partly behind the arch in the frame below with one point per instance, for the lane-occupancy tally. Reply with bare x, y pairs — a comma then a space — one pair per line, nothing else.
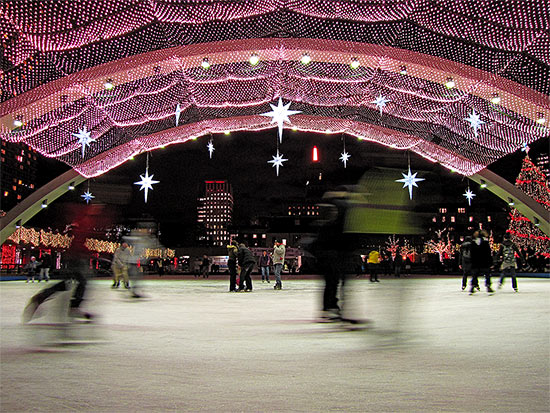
523, 232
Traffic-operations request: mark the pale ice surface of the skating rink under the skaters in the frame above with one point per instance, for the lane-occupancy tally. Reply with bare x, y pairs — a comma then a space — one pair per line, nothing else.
192, 346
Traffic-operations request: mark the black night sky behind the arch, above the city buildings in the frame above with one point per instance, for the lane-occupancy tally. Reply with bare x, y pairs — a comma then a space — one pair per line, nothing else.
241, 158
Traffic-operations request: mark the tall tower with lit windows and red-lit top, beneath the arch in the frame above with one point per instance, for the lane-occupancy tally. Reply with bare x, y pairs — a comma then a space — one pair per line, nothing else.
214, 213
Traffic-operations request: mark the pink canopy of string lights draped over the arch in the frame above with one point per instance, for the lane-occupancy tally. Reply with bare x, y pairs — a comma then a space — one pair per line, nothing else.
155, 72
